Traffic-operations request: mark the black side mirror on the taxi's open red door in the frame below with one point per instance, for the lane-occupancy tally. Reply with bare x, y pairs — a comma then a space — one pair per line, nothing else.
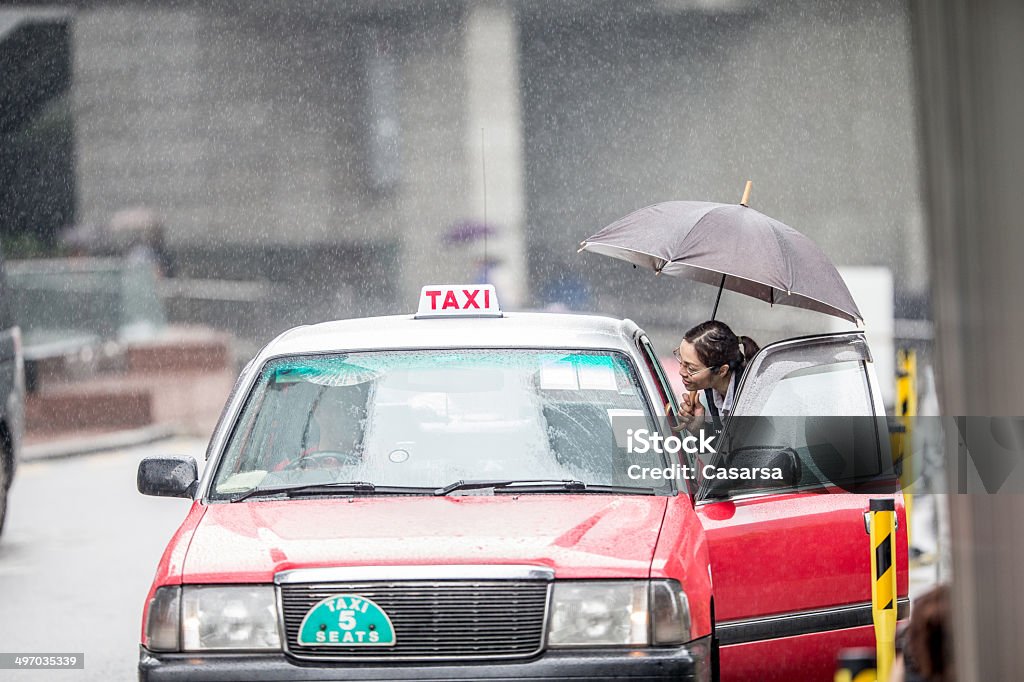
760, 468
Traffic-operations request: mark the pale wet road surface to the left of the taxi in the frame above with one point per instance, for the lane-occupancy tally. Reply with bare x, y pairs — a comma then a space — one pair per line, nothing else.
77, 558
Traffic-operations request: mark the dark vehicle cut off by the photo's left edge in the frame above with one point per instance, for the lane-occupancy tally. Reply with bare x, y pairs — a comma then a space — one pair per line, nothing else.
12, 395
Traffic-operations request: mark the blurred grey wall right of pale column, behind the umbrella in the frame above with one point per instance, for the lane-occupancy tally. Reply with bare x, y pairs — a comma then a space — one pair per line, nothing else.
812, 101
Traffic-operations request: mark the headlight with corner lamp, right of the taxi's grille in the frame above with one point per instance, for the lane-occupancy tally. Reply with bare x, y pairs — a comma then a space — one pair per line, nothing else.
619, 614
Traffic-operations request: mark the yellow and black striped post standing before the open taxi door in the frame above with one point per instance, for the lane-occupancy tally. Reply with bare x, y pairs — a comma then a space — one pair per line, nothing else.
883, 533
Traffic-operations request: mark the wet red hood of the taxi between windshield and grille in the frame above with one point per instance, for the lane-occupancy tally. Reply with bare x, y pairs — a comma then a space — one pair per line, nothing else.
579, 536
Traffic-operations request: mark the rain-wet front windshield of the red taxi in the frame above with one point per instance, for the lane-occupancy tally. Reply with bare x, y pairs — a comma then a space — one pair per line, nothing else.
429, 418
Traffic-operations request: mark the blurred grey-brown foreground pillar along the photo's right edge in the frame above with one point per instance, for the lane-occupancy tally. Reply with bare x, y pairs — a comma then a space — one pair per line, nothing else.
969, 57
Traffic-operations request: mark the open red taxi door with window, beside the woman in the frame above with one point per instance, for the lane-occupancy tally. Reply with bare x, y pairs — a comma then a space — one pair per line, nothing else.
791, 563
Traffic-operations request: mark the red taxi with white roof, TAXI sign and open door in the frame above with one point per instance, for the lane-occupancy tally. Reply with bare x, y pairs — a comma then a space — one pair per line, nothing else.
460, 495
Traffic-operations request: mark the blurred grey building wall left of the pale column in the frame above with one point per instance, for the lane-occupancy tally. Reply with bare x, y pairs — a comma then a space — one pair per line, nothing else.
320, 145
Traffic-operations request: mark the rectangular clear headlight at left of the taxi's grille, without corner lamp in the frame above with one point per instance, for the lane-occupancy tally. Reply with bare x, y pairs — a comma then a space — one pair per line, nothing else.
230, 618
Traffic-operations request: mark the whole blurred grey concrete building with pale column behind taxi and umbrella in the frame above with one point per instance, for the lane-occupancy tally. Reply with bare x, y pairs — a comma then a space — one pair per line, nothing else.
338, 147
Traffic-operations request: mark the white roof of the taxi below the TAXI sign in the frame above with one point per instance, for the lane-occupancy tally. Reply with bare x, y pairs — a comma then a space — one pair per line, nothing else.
527, 330
